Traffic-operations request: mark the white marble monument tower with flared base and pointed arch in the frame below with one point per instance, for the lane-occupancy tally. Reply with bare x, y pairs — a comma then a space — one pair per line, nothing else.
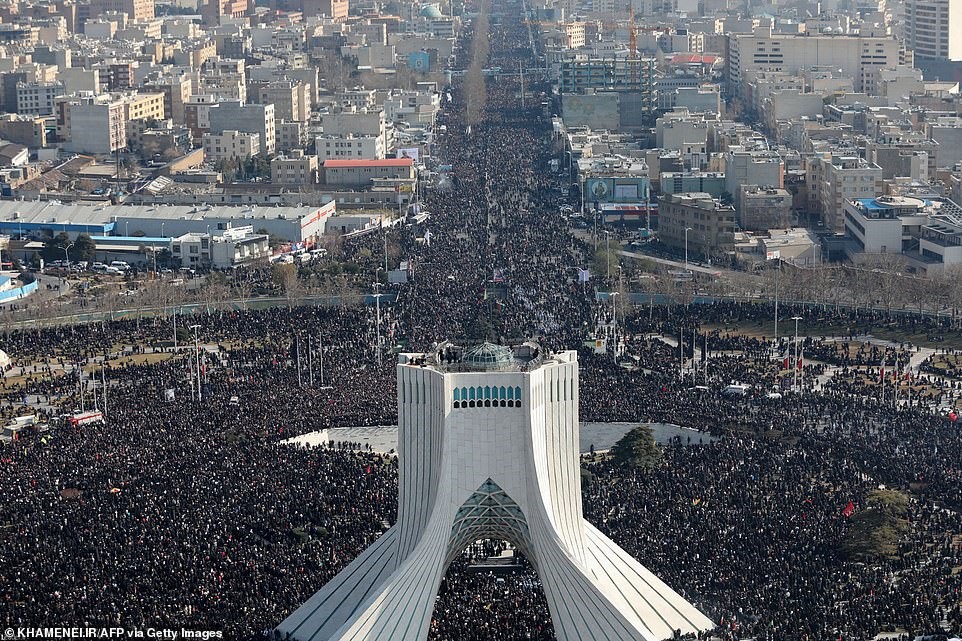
488, 447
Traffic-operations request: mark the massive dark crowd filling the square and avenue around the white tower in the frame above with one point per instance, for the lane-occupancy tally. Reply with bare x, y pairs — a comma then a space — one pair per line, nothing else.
187, 513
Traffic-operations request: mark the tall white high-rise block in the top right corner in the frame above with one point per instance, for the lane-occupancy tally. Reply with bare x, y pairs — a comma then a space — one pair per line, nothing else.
933, 28
